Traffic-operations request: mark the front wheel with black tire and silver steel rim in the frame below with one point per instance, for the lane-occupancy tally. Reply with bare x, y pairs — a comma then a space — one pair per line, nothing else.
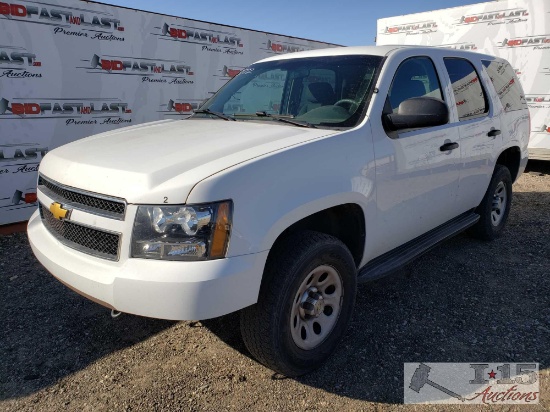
293, 329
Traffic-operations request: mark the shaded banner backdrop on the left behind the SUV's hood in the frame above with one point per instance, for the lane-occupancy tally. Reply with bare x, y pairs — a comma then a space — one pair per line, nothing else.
70, 69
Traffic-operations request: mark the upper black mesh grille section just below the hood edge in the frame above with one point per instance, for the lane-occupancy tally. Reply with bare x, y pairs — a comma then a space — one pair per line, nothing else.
91, 202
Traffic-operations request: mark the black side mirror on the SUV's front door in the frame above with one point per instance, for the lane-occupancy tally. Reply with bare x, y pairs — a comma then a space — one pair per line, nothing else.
418, 112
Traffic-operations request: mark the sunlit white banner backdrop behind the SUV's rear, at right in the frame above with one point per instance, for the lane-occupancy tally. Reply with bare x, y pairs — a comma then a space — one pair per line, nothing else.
517, 30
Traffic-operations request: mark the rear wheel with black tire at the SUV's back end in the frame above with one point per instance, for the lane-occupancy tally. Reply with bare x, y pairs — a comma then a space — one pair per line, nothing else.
495, 206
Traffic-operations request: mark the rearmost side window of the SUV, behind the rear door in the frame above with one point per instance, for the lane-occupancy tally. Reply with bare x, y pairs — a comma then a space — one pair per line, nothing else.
506, 84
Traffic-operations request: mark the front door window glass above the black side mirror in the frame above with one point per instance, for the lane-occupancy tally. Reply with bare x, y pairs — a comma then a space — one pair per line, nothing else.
415, 77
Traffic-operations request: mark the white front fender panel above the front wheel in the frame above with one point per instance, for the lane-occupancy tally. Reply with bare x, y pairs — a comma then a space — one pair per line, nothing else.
274, 191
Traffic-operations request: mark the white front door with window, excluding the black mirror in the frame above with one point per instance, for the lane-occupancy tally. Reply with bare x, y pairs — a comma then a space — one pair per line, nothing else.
416, 180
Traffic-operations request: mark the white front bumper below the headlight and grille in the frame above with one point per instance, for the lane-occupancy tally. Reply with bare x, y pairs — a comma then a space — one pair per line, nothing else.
153, 288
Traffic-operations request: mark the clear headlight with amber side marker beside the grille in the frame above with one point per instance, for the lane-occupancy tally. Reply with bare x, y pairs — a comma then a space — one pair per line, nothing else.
187, 232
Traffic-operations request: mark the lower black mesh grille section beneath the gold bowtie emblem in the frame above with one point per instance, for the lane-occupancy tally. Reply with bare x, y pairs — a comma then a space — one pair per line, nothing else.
82, 238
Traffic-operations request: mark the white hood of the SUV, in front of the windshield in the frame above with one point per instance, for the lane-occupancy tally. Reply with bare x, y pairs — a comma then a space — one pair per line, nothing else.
165, 159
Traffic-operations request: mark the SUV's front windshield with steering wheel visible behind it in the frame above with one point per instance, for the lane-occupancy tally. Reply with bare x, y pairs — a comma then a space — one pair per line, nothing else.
318, 91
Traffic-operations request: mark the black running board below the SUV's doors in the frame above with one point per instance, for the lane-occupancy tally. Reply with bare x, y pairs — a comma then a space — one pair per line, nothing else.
395, 259
